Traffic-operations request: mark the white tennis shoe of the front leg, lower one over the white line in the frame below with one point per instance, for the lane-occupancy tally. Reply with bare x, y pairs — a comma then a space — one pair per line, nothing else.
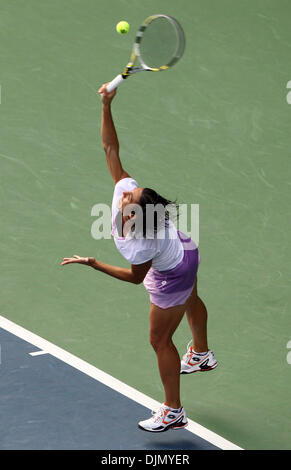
164, 419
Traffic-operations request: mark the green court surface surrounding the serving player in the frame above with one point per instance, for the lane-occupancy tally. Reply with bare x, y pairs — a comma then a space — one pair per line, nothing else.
214, 131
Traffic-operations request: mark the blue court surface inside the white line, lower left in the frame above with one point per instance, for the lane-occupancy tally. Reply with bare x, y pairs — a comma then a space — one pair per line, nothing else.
48, 404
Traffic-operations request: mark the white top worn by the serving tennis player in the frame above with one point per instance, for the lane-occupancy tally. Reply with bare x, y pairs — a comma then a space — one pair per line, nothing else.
166, 253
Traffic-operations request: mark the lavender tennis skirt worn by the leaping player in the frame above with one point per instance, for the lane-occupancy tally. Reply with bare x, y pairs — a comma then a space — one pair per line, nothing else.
173, 287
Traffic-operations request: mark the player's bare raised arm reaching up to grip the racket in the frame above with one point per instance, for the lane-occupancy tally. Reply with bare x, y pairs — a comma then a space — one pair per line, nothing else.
109, 137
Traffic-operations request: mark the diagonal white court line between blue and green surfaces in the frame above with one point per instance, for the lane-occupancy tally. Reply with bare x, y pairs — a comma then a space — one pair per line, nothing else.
109, 381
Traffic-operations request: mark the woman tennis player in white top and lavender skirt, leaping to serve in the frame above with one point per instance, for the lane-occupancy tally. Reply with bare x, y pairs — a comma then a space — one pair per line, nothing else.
168, 268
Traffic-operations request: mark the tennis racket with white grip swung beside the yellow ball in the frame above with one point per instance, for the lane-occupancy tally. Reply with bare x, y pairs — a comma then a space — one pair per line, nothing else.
159, 44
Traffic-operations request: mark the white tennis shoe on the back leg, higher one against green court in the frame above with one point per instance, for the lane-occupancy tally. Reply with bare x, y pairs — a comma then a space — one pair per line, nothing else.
194, 362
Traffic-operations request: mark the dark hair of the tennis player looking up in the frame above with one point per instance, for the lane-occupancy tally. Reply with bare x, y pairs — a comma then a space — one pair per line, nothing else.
151, 197
